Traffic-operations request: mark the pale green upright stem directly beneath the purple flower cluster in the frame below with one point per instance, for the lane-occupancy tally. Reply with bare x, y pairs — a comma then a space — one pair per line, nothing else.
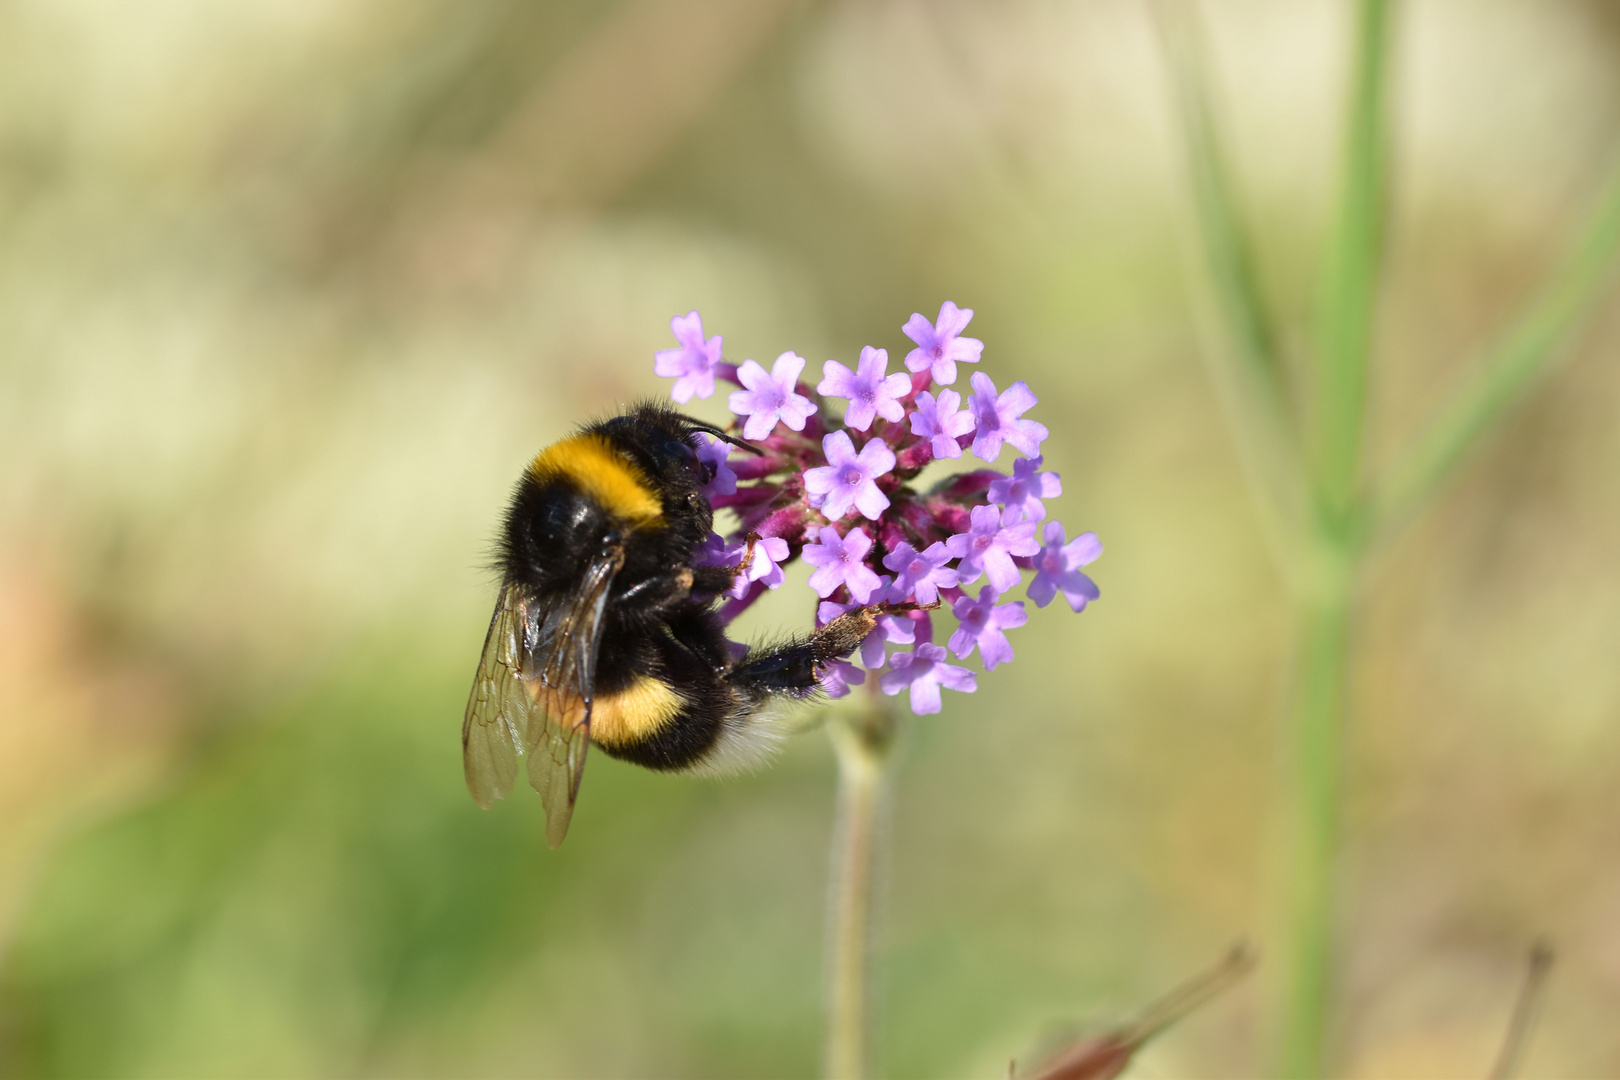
864, 742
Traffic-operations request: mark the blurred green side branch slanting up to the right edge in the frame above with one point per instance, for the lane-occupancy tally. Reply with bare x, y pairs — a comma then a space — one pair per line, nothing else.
1528, 351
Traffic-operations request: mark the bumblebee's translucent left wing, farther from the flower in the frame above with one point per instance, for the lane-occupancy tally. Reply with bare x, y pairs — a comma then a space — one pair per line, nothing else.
501, 708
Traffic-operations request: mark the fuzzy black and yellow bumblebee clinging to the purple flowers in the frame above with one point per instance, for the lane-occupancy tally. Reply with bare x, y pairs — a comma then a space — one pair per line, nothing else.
605, 631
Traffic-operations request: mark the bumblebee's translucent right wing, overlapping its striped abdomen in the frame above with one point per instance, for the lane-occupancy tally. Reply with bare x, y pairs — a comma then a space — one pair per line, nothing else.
561, 663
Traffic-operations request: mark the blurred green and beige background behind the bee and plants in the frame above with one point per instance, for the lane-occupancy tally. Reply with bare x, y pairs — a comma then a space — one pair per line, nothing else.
291, 292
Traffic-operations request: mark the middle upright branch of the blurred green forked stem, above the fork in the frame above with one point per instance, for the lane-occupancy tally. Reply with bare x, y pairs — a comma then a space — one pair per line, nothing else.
1352, 273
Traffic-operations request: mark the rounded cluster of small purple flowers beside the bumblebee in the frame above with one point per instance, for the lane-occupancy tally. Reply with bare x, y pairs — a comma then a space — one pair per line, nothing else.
838, 493
